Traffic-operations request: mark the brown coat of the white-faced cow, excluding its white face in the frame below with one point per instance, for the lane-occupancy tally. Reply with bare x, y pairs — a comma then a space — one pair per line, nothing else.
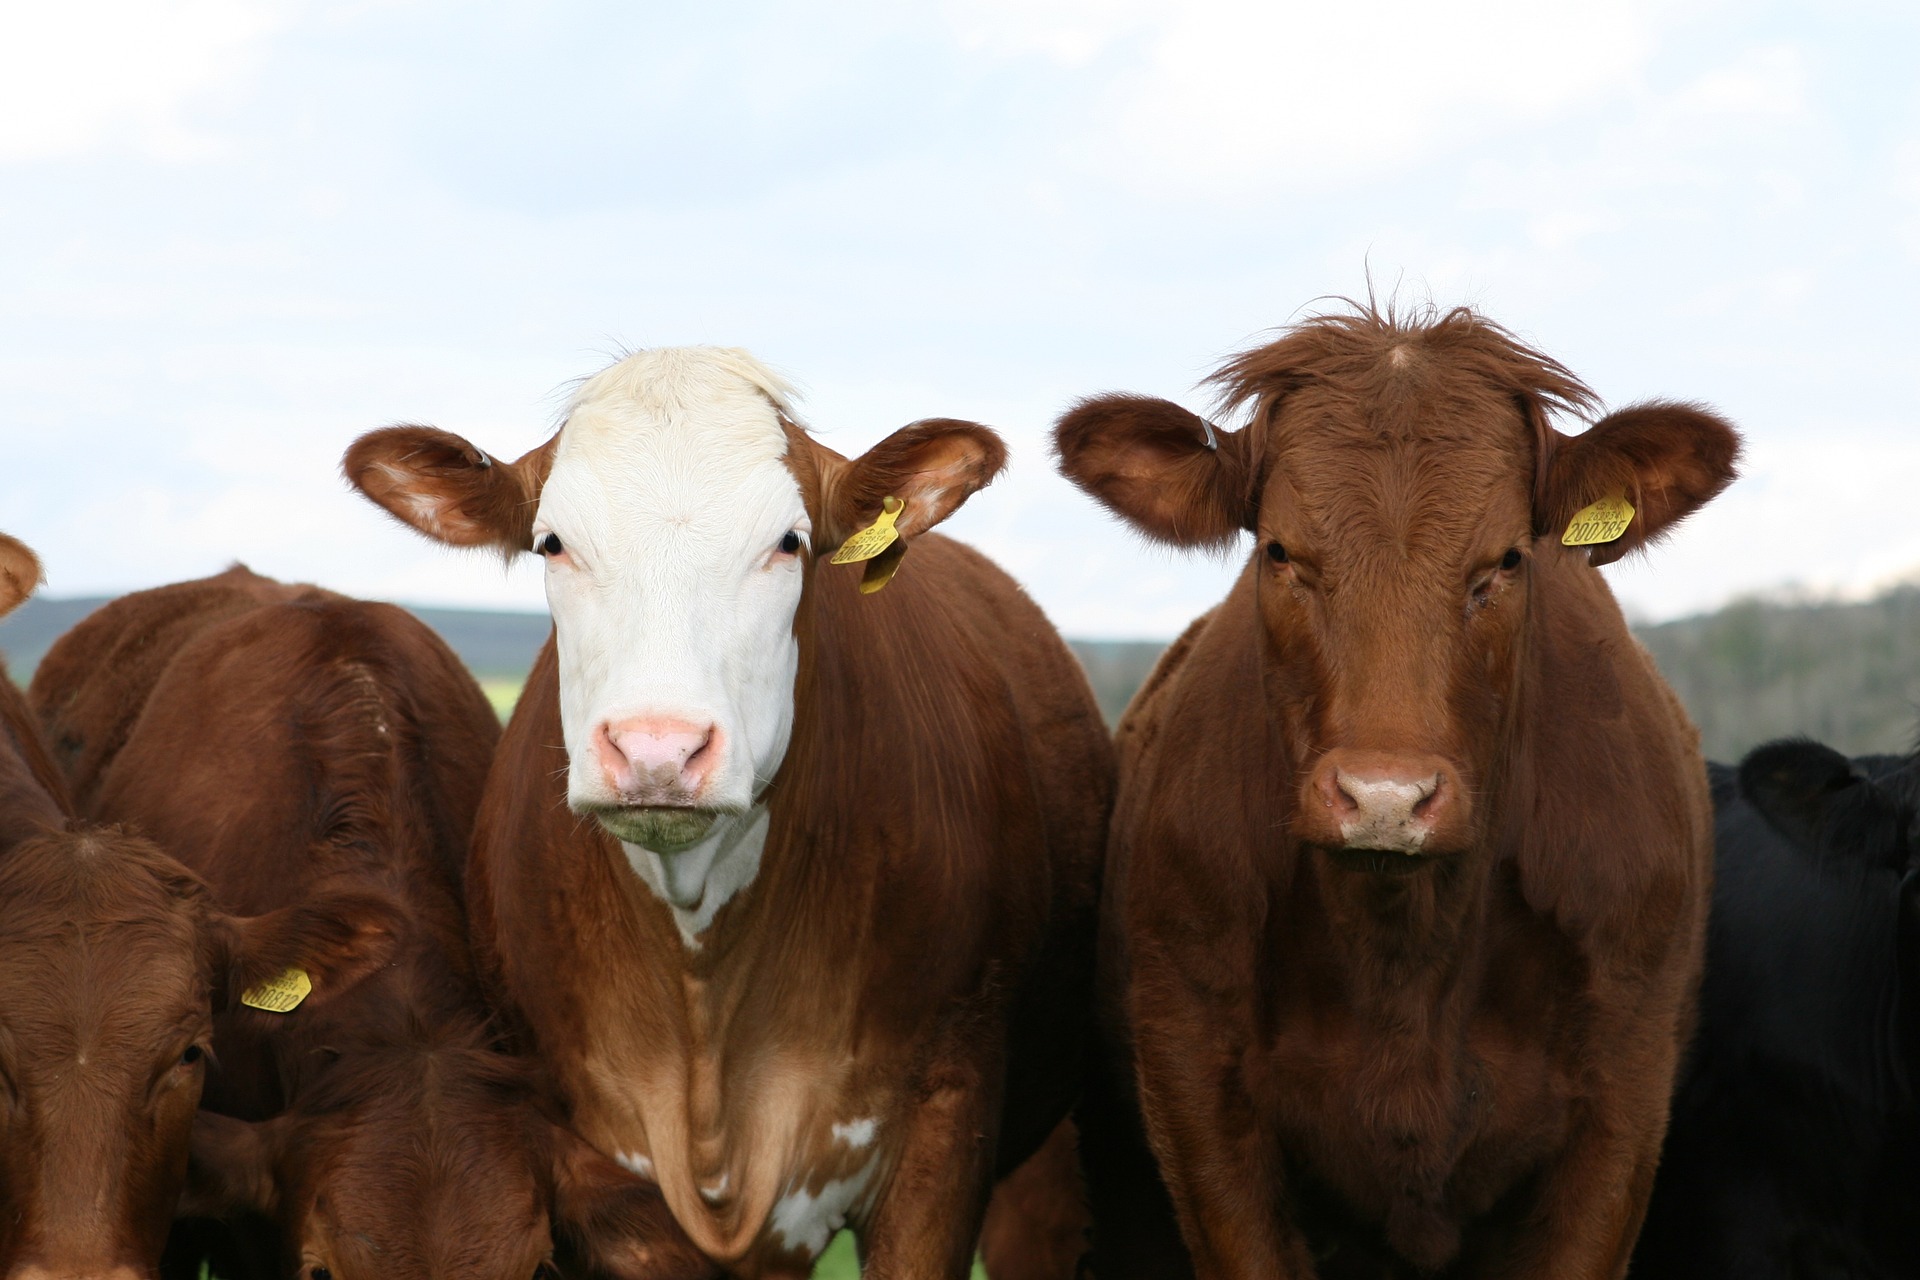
919, 943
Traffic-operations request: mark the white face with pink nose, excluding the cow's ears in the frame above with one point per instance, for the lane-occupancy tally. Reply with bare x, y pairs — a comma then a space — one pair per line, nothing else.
673, 534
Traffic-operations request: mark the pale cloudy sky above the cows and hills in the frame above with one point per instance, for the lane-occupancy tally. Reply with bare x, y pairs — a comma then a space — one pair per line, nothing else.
235, 235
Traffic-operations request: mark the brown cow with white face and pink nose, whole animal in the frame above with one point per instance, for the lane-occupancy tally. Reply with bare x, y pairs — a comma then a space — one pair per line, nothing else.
805, 922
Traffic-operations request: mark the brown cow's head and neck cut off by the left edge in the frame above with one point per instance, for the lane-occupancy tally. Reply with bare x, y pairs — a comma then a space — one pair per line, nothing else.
112, 962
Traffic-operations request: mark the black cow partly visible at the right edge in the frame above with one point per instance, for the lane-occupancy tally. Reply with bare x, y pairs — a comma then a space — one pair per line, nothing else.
1794, 1147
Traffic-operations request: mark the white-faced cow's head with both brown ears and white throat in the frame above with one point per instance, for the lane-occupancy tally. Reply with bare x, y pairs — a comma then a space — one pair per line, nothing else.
675, 529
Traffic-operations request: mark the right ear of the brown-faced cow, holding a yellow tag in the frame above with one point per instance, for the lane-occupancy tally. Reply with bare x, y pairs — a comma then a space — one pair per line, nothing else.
1668, 460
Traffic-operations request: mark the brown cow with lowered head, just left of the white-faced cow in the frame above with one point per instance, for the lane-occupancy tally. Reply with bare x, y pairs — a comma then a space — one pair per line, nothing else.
291, 742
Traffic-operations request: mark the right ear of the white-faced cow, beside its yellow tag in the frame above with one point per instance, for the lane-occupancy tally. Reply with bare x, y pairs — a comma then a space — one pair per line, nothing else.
932, 467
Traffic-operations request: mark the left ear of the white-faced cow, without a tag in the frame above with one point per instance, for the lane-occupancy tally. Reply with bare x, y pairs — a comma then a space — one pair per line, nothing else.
448, 488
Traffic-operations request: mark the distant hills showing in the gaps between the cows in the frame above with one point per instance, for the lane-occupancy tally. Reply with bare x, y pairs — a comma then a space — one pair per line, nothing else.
1846, 675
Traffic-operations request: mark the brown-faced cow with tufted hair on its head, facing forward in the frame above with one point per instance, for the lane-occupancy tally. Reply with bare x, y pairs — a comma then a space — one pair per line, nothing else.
1410, 865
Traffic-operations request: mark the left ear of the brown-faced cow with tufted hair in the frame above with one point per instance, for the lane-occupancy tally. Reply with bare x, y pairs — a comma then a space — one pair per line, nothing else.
1161, 469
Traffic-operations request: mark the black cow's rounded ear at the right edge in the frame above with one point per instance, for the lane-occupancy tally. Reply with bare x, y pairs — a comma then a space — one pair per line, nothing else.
1817, 799
